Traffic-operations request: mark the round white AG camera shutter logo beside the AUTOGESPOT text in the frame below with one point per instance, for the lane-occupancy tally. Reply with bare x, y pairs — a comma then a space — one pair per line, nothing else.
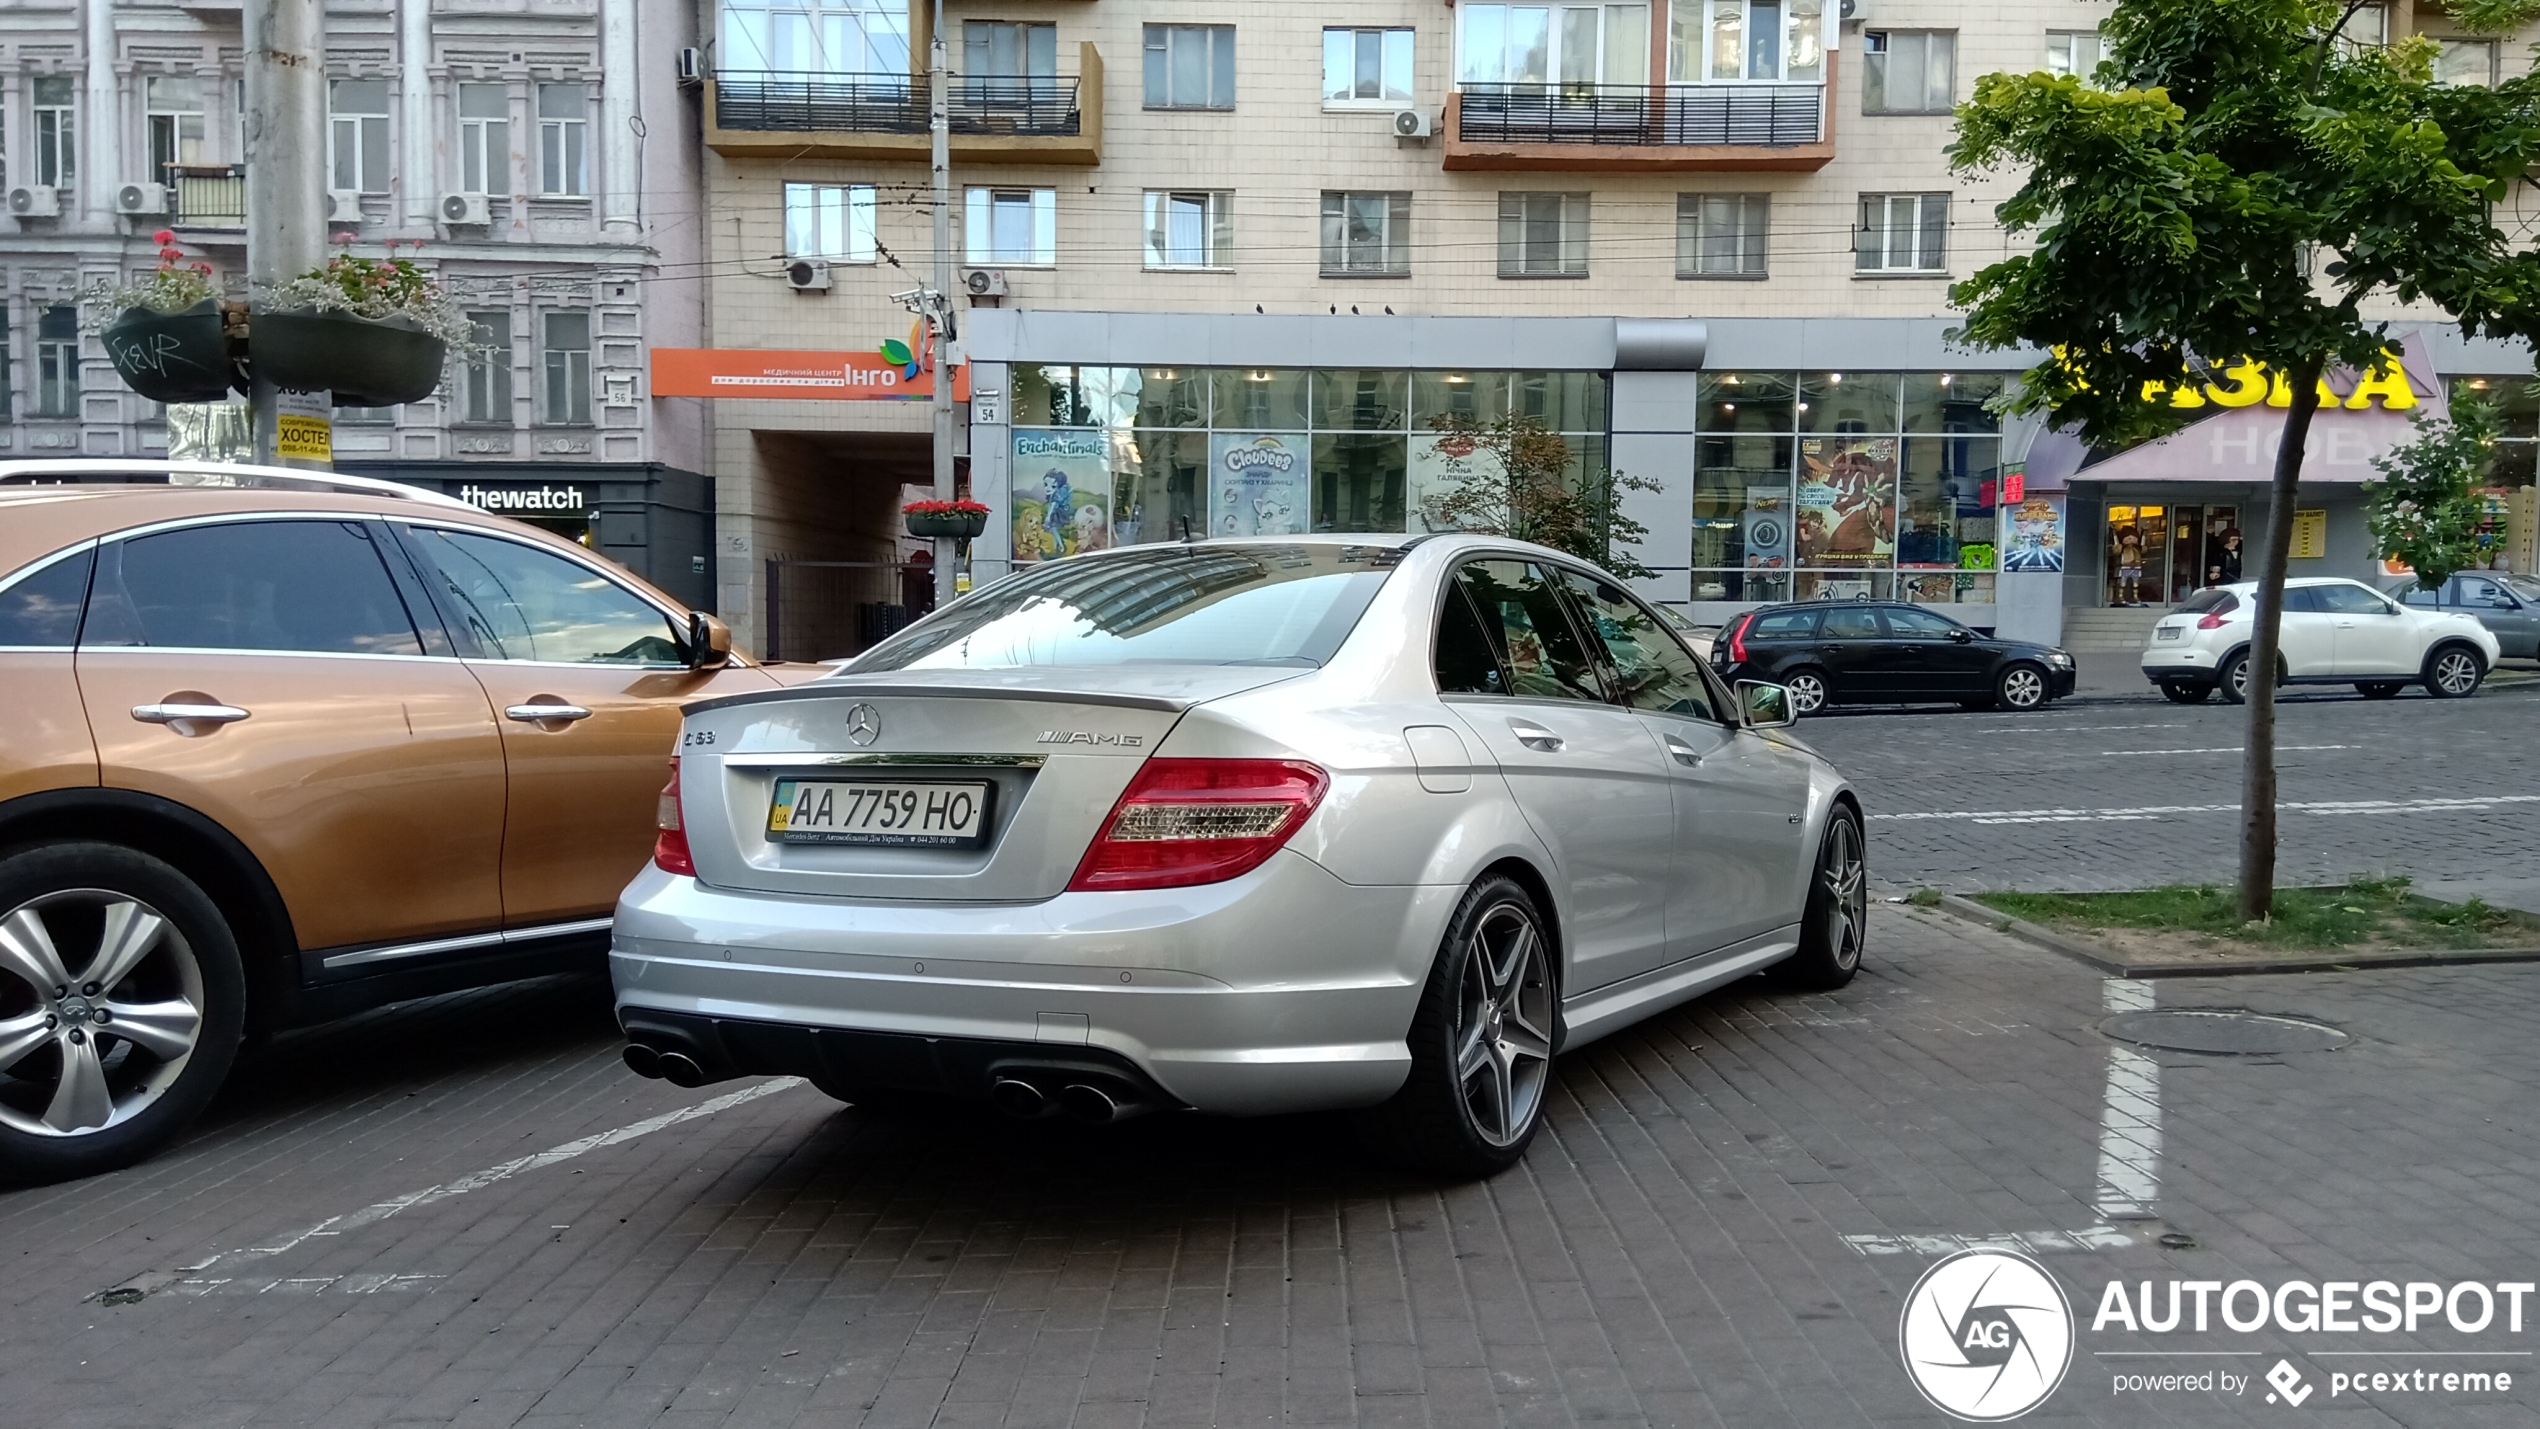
1988, 1336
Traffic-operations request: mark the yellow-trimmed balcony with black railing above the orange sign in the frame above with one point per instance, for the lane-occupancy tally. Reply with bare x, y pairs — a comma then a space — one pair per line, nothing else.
885, 115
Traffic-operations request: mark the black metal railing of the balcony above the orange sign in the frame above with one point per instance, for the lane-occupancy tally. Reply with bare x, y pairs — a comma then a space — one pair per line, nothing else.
893, 105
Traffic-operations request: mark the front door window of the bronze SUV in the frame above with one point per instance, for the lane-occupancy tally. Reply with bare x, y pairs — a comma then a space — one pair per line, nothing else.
532, 605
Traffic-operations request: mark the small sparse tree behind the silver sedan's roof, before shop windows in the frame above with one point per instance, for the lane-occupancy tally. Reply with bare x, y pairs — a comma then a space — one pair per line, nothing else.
1513, 478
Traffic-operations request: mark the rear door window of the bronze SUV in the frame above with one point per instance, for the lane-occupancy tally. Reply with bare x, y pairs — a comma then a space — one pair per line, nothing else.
255, 585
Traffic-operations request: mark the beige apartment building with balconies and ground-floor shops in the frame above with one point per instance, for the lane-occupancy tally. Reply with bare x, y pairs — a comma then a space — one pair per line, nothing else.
1226, 268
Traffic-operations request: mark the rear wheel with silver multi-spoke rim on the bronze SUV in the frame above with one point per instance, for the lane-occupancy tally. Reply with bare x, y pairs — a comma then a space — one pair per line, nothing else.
116, 1067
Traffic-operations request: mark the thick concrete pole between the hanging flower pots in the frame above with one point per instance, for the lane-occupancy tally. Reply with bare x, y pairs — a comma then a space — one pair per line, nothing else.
286, 176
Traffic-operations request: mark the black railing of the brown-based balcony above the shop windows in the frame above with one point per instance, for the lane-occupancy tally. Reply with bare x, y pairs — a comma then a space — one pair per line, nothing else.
1751, 115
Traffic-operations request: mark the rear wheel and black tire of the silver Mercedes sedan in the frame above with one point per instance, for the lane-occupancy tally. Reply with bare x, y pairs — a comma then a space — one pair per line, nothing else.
1482, 1042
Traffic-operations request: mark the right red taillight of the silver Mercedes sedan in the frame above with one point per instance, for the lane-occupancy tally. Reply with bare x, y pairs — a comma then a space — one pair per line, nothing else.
1200, 821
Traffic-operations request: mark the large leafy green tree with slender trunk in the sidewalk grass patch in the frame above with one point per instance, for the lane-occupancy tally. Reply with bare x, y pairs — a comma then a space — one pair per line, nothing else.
2234, 187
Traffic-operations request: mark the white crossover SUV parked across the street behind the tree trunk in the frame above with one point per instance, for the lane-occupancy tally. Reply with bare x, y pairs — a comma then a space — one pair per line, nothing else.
2336, 633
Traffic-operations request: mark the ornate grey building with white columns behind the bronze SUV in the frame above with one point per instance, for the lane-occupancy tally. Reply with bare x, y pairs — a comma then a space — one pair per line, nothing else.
507, 141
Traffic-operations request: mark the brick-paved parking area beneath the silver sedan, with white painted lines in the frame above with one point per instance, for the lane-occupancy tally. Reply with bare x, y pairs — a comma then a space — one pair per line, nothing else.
1673, 1250
